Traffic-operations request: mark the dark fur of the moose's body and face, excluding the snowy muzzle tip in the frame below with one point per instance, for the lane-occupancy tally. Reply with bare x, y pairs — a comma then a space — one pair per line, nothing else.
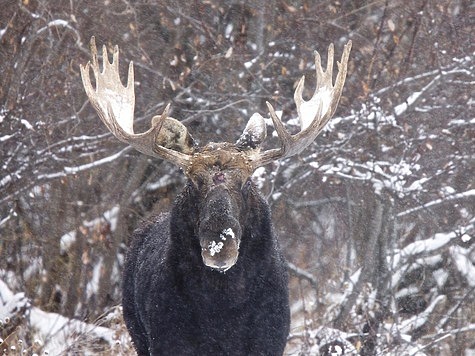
175, 305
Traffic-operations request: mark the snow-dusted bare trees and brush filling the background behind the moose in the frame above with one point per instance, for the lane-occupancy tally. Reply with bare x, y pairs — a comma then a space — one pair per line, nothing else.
377, 214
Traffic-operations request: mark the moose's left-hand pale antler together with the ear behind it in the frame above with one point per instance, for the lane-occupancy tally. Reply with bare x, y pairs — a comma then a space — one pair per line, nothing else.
115, 103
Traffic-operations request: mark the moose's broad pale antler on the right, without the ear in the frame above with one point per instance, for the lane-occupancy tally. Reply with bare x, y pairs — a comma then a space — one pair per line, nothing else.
313, 114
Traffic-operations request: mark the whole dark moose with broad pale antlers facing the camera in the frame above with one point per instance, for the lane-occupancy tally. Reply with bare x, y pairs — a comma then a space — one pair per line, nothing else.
209, 278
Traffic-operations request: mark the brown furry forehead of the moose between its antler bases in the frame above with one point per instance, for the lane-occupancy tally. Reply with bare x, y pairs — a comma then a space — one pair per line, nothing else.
216, 160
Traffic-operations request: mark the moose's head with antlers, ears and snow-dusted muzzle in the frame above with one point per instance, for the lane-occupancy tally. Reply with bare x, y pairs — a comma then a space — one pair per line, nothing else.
220, 172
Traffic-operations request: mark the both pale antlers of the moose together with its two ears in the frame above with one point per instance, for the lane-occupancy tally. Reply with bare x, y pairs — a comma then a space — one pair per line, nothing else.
169, 139
